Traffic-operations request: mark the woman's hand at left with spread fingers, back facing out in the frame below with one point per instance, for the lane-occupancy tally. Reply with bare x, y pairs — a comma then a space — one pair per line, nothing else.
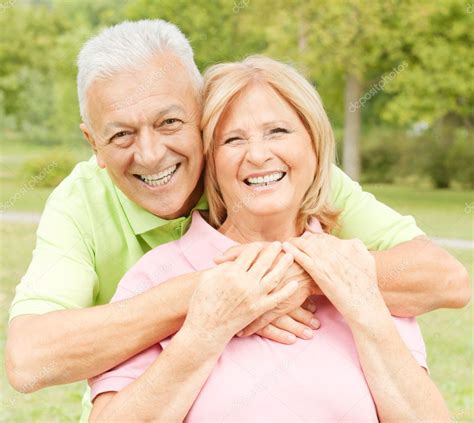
223, 305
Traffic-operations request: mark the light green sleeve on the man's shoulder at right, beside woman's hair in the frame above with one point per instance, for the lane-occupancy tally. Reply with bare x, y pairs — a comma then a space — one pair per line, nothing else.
378, 226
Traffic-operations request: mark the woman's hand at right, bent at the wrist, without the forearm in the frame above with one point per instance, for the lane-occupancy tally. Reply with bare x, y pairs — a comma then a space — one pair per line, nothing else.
344, 270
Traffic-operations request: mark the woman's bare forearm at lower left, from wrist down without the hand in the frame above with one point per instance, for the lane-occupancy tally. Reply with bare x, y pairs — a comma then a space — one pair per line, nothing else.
167, 390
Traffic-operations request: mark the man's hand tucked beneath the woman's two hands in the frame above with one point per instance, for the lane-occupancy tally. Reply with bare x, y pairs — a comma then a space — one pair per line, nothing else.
293, 318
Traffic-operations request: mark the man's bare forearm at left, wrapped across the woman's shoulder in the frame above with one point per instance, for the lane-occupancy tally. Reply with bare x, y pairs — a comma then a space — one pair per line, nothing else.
78, 344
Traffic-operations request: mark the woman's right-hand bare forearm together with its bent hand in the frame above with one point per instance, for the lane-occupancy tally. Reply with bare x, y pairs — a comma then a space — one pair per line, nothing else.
346, 274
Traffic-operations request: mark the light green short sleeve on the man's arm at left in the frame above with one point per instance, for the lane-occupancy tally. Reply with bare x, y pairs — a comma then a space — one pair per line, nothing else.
61, 274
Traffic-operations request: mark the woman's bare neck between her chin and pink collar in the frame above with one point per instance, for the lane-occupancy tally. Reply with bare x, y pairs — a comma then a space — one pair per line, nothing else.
244, 229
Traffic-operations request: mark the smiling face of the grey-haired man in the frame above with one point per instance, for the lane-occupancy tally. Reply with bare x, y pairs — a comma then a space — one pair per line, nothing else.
144, 128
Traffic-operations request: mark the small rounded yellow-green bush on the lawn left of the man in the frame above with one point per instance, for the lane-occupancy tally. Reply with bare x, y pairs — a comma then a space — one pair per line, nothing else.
50, 169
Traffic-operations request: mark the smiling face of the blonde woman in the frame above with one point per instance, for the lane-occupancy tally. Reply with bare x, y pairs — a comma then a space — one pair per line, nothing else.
264, 158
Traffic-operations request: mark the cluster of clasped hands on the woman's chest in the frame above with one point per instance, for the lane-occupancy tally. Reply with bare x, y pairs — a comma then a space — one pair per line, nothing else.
282, 310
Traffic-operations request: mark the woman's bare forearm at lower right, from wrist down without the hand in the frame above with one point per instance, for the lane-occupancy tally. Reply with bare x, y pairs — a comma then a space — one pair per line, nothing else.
402, 390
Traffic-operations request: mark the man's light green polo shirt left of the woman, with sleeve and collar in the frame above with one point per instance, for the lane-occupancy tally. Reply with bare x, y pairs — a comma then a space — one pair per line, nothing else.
89, 235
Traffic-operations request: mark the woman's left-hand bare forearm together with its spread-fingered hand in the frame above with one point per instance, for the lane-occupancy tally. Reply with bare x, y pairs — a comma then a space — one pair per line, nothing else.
219, 308
